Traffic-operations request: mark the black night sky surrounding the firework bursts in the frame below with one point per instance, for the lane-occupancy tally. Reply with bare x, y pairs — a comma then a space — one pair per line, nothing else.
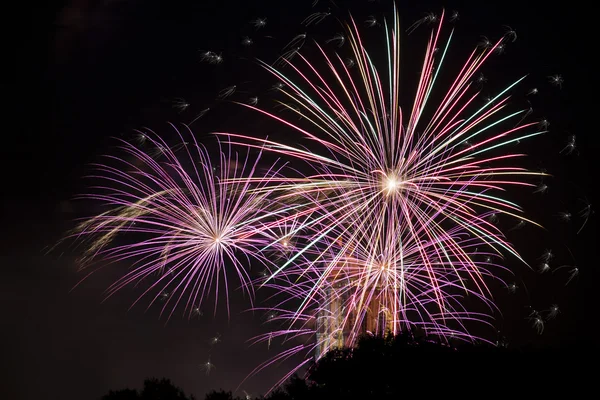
84, 72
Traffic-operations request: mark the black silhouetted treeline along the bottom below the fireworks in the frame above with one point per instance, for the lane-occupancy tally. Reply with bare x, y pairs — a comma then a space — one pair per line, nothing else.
394, 367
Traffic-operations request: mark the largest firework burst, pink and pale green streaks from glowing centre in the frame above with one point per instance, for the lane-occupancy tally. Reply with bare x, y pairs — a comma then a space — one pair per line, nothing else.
377, 170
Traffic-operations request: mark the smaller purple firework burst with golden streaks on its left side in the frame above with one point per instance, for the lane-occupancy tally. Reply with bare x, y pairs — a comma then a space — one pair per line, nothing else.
186, 232
